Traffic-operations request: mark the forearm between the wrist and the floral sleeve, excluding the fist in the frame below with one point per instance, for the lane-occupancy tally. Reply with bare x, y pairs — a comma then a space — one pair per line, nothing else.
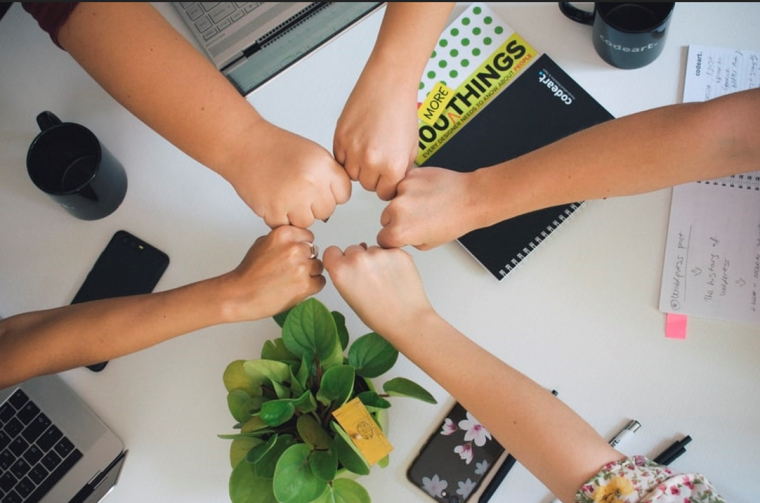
547, 437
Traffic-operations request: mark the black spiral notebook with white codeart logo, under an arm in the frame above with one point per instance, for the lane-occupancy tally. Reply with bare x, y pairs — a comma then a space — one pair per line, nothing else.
540, 105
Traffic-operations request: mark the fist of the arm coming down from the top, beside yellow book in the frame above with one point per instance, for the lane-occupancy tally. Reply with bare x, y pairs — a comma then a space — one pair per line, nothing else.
376, 135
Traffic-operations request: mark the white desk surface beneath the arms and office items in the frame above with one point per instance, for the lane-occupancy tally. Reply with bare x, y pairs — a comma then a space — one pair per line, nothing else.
580, 315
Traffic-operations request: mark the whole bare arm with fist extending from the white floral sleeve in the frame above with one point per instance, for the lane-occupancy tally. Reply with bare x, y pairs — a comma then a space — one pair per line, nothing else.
384, 288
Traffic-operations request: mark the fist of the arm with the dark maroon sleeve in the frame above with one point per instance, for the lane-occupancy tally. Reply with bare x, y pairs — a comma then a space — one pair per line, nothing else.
292, 180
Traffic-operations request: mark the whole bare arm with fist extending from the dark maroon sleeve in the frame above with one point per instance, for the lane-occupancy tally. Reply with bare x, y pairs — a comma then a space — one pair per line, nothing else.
169, 85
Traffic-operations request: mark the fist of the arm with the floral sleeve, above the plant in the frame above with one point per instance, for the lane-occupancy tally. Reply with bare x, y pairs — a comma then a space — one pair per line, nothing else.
382, 286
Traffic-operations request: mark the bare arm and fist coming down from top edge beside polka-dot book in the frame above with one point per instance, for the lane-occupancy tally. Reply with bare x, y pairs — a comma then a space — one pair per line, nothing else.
376, 135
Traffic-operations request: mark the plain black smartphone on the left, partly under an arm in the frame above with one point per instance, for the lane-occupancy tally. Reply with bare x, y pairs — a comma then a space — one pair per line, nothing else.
127, 266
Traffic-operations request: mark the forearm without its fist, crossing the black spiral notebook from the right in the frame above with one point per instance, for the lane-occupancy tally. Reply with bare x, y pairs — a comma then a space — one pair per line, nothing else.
635, 154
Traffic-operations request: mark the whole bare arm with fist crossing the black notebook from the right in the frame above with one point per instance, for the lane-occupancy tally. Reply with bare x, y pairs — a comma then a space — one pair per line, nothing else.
635, 154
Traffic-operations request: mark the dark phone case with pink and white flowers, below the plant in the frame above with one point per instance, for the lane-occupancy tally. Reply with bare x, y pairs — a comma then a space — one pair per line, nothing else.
459, 455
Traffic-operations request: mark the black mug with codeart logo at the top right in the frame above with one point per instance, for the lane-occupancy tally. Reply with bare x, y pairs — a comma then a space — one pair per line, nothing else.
625, 34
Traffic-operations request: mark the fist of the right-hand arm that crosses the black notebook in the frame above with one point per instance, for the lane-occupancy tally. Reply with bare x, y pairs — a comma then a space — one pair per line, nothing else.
432, 206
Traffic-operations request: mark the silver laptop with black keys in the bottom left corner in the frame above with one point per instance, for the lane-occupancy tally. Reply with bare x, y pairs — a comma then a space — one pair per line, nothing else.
53, 448
